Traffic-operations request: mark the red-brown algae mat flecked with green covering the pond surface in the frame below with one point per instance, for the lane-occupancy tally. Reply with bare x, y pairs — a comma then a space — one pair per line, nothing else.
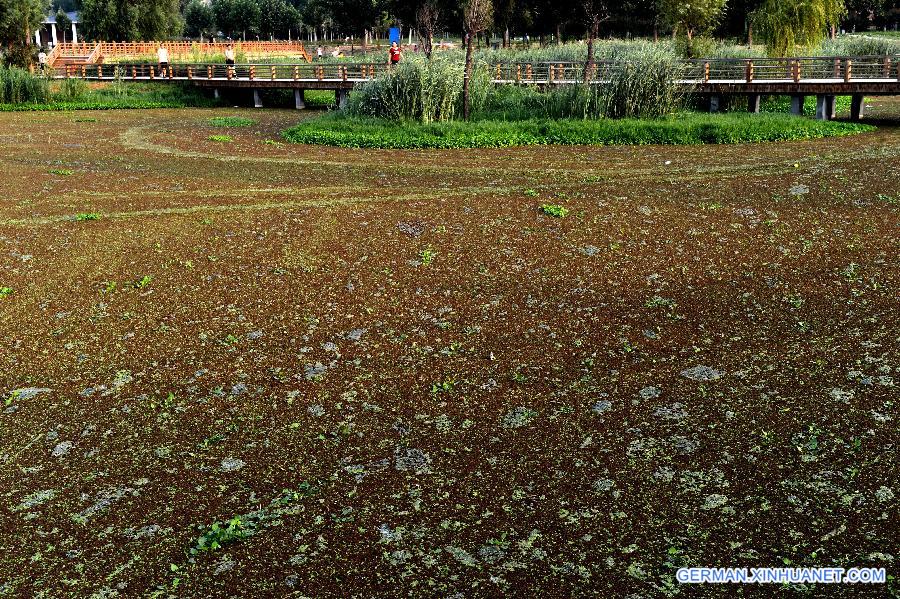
251, 368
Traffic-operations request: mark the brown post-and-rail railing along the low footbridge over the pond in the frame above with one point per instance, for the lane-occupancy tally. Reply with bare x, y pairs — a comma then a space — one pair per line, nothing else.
693, 72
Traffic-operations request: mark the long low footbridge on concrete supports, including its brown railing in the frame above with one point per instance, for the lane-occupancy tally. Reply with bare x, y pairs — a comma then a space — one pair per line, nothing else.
823, 77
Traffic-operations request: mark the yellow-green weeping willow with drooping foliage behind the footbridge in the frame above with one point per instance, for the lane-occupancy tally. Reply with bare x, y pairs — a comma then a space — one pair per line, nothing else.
786, 24
